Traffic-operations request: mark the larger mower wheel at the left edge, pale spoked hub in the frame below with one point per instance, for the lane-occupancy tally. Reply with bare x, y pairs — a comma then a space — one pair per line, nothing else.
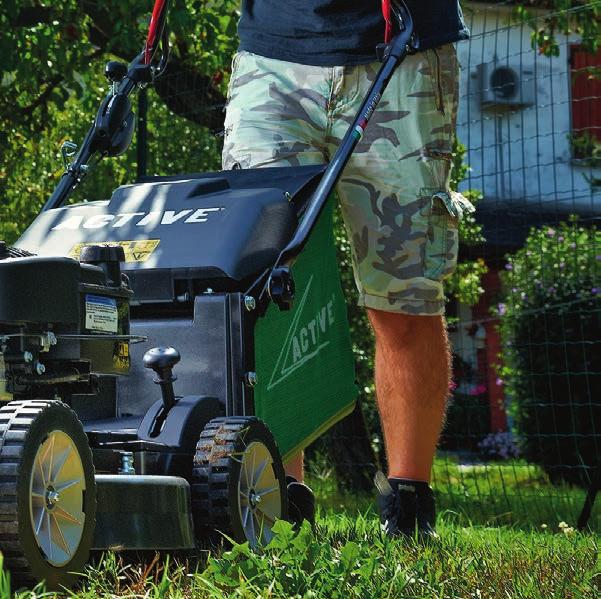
47, 493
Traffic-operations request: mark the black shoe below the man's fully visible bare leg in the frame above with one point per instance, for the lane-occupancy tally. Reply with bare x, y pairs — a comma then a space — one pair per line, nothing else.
406, 507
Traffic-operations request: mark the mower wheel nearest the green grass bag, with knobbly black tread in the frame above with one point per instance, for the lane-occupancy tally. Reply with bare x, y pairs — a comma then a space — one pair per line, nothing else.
238, 481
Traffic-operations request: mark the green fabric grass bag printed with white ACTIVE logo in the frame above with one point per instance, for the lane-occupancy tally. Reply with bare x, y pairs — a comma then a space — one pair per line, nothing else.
304, 359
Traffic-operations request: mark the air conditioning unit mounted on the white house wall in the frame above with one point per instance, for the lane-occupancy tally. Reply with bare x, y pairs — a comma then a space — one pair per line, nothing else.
506, 86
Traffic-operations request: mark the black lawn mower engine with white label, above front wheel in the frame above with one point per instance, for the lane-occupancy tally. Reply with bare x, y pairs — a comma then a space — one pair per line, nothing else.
63, 323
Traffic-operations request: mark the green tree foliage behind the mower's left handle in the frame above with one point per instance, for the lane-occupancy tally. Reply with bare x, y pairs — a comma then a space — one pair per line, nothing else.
51, 84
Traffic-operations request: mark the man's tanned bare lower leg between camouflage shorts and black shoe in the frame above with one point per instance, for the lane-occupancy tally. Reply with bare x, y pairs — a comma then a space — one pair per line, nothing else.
412, 372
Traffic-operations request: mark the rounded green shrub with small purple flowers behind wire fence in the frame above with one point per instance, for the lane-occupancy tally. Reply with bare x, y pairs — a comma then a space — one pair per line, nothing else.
551, 331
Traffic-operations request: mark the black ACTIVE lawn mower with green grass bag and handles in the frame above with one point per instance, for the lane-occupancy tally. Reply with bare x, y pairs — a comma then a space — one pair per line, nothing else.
237, 270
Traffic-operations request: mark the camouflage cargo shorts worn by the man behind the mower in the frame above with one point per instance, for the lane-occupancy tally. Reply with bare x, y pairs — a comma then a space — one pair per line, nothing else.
394, 195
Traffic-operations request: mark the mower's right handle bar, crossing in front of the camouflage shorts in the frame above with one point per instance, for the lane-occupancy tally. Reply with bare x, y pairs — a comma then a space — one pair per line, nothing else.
393, 54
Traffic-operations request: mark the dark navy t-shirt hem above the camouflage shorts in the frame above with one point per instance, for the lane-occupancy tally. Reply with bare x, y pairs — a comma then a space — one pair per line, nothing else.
338, 32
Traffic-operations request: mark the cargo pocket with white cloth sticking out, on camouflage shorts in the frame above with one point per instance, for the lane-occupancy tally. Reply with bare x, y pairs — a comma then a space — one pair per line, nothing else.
445, 210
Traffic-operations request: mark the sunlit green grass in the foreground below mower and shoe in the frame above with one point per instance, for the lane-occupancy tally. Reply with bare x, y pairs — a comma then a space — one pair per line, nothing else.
347, 557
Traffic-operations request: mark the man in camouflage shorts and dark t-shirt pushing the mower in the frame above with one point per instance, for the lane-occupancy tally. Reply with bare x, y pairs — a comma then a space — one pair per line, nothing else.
303, 68
